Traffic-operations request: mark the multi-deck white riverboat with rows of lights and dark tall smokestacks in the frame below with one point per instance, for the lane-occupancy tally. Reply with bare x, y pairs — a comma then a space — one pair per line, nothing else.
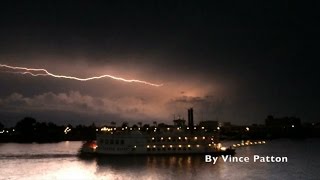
167, 139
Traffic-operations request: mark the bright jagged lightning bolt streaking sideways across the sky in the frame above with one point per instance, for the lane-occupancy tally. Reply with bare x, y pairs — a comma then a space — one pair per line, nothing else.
44, 72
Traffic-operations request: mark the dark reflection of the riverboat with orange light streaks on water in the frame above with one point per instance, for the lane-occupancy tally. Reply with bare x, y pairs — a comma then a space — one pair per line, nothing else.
148, 167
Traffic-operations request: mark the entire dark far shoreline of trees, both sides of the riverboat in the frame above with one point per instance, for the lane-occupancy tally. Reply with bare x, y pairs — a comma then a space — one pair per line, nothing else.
29, 130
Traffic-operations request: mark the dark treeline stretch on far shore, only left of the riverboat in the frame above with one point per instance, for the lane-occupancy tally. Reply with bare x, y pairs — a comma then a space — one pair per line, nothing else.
29, 130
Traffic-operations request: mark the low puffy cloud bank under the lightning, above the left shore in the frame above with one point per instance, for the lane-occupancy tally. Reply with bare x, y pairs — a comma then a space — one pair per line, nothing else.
74, 102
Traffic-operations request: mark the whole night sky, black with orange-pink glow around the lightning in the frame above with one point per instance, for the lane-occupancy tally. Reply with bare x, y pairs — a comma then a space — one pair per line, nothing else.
231, 61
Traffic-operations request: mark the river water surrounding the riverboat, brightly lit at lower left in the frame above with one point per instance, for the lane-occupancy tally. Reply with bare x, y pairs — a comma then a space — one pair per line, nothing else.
60, 161
